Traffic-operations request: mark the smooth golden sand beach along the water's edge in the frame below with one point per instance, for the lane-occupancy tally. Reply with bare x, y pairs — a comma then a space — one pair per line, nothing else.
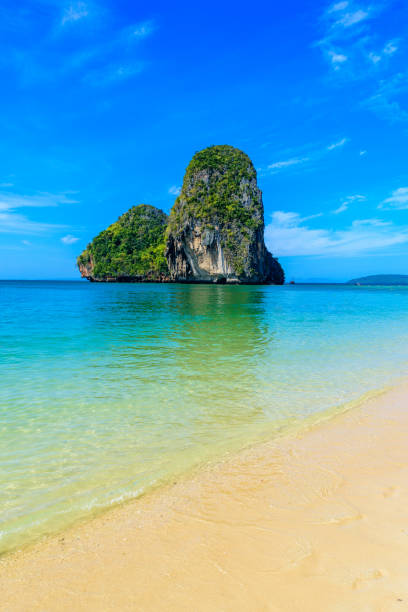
311, 522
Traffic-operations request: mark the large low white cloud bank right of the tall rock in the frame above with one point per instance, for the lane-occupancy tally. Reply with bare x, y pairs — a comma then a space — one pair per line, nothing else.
289, 235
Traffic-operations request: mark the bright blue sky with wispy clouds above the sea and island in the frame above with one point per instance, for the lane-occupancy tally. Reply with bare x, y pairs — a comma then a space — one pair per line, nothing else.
104, 103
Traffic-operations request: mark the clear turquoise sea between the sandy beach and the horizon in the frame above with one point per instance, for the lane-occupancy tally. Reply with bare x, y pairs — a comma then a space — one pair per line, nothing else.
108, 390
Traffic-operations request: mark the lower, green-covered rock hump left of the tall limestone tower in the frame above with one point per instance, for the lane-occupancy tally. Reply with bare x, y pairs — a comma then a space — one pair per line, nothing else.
132, 249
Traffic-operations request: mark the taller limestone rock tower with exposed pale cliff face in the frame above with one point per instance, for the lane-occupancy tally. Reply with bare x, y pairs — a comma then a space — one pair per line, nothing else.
216, 226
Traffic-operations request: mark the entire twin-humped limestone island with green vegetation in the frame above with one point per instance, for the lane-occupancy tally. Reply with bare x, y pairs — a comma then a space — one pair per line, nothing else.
214, 233
